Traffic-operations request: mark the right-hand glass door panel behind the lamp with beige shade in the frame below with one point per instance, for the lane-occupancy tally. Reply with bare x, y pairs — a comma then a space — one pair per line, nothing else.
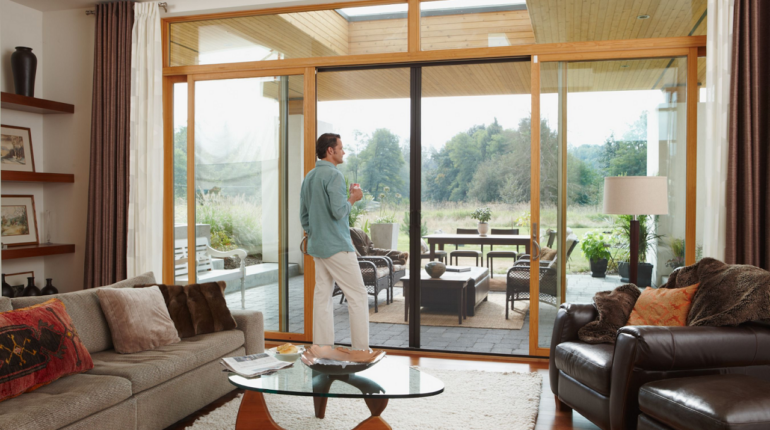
623, 118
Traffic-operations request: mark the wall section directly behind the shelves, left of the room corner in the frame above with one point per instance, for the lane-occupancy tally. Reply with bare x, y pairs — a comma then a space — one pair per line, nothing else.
23, 26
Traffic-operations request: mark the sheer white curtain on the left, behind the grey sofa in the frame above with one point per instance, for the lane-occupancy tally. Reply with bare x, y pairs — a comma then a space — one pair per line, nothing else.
145, 206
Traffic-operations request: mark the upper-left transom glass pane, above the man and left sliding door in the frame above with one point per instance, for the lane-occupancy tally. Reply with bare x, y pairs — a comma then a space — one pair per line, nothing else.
323, 33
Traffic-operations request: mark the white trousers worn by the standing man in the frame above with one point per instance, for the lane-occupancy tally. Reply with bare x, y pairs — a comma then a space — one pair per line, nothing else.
341, 267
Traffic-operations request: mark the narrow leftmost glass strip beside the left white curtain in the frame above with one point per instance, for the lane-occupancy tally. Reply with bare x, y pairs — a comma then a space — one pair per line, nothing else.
180, 181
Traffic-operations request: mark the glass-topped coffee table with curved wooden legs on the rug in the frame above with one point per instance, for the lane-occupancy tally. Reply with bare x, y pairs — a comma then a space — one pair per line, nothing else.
385, 380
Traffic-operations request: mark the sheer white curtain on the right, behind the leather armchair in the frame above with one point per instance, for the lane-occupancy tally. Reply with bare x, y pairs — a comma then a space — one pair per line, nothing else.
718, 66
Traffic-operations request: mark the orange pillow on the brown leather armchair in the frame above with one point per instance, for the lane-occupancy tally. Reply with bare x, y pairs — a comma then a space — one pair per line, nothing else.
663, 306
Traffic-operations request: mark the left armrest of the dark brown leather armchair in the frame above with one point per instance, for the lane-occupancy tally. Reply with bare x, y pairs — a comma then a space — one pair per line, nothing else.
570, 318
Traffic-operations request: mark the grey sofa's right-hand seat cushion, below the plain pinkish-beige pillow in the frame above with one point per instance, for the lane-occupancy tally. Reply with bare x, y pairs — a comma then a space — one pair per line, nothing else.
149, 368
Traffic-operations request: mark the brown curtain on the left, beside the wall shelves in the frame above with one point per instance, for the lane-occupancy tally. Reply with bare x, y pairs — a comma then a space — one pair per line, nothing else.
110, 120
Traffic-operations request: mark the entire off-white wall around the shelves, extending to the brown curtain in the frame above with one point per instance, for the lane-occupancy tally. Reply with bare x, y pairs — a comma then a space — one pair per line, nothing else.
63, 42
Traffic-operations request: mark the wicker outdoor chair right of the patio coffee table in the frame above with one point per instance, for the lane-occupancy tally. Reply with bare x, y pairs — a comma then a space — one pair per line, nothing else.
517, 284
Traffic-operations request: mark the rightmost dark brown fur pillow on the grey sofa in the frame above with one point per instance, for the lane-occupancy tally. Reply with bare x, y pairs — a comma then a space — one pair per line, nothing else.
208, 307
